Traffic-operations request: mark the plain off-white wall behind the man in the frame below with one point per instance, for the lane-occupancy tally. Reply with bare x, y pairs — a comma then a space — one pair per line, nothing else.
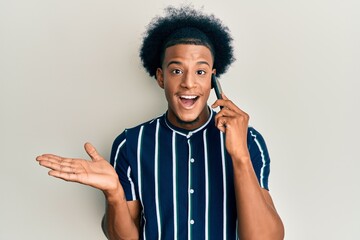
70, 73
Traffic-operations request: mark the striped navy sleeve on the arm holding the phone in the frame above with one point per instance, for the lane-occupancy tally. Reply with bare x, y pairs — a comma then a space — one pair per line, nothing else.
259, 157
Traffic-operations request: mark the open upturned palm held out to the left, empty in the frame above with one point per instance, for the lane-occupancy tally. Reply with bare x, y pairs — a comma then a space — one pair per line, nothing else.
97, 173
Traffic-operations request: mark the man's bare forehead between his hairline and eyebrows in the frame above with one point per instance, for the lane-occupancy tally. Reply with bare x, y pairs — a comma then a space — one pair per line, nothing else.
188, 53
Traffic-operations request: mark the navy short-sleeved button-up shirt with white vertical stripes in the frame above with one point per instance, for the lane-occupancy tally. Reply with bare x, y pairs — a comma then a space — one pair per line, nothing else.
183, 179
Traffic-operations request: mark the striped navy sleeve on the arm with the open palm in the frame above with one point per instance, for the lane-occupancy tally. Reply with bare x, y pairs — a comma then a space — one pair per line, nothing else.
120, 162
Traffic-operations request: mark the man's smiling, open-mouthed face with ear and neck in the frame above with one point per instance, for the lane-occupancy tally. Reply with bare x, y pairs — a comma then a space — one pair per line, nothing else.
185, 76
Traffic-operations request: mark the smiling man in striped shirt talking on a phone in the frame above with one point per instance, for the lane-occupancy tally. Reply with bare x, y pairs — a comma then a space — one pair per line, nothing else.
191, 173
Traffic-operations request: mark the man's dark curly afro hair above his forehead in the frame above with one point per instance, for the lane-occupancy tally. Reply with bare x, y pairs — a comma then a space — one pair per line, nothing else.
163, 32
